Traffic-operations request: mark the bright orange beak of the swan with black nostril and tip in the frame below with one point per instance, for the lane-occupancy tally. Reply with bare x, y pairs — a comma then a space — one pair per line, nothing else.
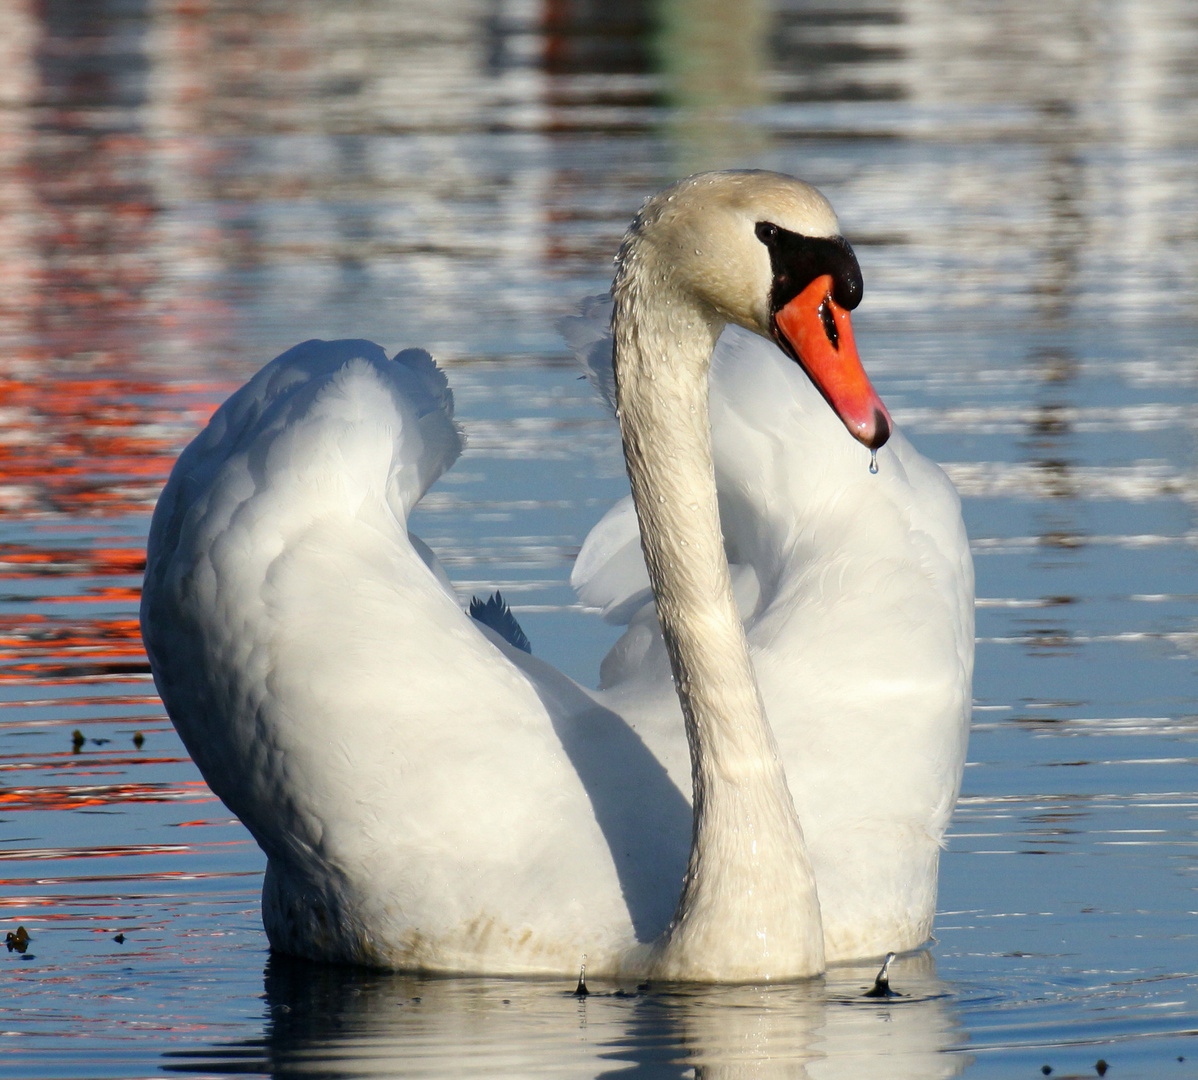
818, 333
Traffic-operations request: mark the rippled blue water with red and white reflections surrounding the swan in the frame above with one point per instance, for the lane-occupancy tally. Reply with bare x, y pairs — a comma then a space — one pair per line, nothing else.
189, 190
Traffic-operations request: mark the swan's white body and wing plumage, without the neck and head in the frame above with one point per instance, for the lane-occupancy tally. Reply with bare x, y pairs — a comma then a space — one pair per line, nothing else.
431, 798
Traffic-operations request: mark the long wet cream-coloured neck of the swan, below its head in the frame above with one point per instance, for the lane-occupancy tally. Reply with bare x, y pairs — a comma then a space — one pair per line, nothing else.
748, 909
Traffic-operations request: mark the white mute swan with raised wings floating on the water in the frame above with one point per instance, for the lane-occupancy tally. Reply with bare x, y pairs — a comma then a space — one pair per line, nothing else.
431, 798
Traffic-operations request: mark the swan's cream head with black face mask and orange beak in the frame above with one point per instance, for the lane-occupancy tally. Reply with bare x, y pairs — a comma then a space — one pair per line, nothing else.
764, 251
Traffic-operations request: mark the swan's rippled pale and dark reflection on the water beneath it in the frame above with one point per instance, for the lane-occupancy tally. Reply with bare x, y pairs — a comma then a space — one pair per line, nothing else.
342, 1022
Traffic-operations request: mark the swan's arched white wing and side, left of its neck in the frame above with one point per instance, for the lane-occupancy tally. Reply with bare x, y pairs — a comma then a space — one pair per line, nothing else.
378, 743
